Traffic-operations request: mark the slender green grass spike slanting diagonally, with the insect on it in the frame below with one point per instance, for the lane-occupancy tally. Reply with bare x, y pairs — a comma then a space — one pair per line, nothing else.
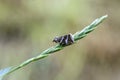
76, 36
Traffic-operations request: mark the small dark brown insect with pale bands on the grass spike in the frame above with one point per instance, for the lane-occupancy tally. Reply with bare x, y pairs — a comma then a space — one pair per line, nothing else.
64, 40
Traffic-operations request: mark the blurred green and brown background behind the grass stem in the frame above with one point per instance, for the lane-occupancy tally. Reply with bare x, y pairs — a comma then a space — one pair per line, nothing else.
27, 27
